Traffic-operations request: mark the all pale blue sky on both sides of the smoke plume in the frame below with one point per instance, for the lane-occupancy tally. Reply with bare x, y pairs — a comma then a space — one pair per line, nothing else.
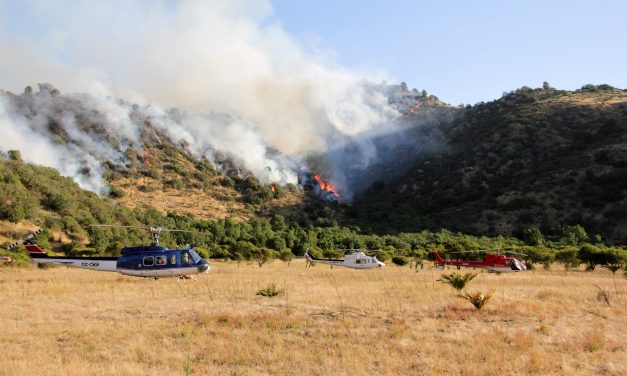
460, 51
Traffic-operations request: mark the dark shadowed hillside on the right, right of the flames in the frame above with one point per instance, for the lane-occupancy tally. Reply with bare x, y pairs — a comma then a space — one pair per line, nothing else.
540, 158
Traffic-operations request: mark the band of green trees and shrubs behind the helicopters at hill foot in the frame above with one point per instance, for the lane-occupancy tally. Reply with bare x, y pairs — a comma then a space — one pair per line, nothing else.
41, 197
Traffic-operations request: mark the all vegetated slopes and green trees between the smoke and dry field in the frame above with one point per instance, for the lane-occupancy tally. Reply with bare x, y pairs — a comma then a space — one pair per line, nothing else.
509, 170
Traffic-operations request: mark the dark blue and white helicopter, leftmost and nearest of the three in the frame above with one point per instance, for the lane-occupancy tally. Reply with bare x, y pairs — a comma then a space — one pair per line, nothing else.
140, 261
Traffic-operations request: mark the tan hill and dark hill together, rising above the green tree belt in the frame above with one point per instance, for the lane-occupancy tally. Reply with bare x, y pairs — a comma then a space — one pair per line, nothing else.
497, 168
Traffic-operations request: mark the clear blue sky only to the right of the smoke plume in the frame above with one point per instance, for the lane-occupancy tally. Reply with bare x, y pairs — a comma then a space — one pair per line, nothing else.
469, 51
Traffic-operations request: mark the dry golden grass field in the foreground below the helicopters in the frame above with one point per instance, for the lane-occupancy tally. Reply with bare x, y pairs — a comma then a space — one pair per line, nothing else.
392, 321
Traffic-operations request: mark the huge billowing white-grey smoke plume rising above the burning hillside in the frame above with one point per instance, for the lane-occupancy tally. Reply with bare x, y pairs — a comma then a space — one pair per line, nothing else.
244, 86
